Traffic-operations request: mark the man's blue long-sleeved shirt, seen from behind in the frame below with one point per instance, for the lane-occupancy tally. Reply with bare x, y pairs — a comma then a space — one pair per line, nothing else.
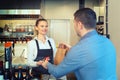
92, 58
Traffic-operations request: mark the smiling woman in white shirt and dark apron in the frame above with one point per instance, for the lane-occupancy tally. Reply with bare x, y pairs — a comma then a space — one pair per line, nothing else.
39, 48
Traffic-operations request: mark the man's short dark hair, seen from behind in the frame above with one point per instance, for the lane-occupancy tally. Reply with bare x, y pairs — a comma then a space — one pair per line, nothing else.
87, 16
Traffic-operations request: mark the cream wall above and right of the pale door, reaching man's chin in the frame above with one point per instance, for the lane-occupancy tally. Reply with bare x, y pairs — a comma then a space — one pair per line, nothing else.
61, 9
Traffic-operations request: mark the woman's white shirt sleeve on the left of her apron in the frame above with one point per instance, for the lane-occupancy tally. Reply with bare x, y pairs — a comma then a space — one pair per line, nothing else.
31, 53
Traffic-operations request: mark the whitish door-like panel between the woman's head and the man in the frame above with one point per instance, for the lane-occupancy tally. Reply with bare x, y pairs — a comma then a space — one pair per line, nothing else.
60, 31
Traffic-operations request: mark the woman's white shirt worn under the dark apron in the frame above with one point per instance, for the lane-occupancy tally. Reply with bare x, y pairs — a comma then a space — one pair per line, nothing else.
32, 49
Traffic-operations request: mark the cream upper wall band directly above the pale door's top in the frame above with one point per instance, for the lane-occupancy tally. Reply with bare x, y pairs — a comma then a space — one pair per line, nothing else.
60, 9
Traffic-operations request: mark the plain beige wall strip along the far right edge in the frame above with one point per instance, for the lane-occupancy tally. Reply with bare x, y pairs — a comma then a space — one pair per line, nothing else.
114, 28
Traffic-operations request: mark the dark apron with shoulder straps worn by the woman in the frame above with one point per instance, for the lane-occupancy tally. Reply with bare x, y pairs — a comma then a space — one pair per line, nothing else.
42, 53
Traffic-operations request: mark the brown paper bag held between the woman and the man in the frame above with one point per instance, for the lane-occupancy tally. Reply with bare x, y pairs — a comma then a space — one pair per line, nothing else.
60, 54
